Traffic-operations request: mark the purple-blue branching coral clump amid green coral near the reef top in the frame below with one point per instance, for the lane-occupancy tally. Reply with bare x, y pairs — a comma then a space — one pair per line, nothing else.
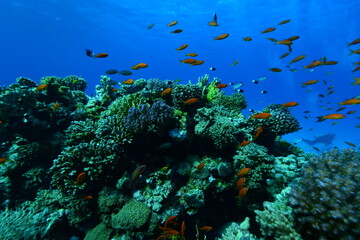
147, 119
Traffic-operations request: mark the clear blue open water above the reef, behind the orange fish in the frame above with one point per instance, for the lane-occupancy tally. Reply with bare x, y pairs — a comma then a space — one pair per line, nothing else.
44, 38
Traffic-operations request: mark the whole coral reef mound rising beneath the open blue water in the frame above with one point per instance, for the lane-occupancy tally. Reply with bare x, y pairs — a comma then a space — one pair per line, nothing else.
156, 159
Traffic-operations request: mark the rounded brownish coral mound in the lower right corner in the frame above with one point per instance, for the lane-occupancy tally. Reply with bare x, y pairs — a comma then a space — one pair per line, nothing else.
326, 201
